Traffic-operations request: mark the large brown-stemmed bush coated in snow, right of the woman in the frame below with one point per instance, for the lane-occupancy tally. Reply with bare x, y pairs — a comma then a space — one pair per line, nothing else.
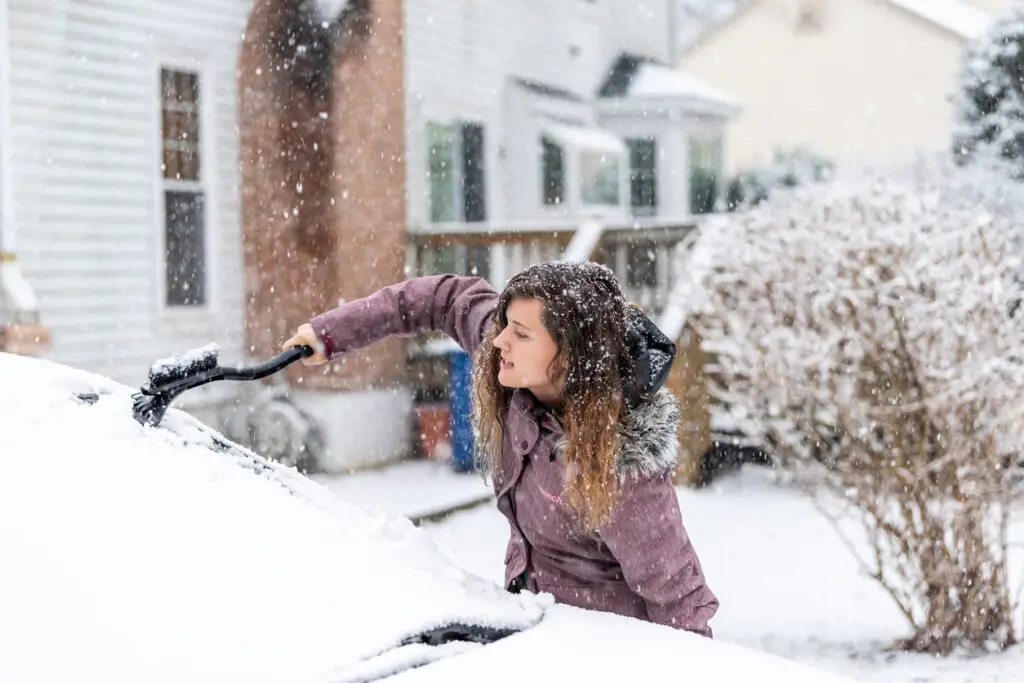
865, 330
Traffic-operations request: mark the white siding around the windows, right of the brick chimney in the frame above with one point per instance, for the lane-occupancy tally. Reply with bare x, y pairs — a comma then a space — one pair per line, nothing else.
461, 54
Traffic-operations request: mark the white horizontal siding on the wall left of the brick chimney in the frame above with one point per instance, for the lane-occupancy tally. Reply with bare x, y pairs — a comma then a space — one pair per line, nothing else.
86, 117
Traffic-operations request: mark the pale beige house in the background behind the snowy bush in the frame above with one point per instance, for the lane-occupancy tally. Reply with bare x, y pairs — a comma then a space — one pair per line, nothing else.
859, 81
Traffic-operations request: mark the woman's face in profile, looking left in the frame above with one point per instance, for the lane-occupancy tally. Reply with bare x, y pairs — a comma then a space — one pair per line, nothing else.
528, 350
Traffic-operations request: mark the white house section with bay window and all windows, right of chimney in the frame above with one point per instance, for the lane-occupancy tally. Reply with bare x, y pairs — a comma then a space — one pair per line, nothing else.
574, 108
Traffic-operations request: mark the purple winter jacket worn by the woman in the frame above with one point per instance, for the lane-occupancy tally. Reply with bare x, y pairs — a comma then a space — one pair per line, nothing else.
644, 564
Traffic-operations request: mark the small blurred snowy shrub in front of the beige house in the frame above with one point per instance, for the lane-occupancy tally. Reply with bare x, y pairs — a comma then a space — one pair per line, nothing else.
789, 169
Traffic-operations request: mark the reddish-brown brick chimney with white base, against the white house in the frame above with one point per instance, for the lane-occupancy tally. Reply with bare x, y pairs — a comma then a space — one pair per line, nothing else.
323, 153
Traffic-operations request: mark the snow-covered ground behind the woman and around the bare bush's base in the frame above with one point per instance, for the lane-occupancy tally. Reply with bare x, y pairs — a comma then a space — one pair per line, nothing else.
787, 583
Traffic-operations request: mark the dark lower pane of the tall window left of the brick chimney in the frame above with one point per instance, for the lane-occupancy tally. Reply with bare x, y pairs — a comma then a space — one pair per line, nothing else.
185, 249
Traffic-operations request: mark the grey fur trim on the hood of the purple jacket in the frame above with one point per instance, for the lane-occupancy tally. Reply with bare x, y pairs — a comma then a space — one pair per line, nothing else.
649, 439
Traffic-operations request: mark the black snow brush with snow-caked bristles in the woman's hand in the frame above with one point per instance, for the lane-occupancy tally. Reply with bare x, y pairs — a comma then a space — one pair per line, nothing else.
172, 377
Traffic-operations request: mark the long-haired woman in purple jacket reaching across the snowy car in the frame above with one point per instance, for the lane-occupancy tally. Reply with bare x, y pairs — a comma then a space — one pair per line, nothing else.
573, 426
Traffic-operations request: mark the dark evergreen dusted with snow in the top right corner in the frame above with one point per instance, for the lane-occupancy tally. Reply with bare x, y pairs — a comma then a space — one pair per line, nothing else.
990, 100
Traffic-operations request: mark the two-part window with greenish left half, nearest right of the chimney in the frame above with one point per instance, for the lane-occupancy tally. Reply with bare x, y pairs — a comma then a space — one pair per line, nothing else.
456, 173
